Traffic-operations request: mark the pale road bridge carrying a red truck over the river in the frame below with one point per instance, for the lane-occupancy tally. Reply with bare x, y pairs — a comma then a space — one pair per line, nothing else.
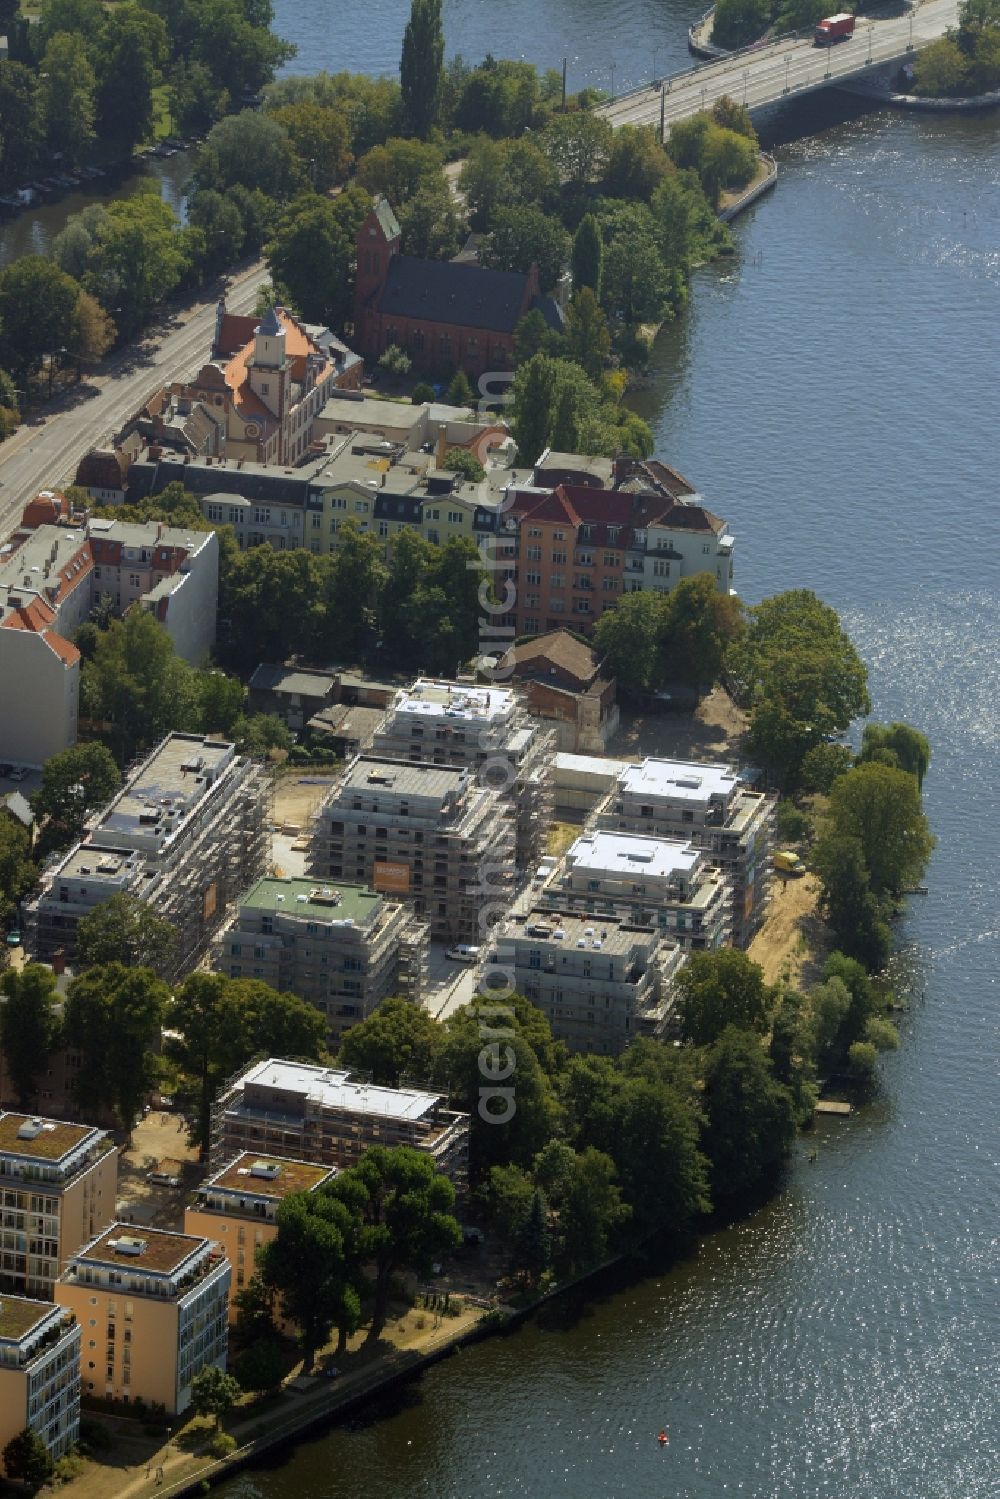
791, 67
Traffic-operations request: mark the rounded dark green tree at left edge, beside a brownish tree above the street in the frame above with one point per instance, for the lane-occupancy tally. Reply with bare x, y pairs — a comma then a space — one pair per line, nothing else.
38, 307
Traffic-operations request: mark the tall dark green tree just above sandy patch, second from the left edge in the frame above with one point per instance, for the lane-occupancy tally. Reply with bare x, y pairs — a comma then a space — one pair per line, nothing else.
113, 1019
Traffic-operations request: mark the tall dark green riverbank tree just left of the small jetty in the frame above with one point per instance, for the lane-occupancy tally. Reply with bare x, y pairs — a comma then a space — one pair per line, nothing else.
749, 1119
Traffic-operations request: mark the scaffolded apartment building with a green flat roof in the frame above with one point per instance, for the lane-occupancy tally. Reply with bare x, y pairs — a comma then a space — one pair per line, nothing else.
343, 948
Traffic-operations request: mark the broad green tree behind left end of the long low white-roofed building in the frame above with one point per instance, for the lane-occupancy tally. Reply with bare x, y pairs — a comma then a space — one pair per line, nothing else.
220, 1025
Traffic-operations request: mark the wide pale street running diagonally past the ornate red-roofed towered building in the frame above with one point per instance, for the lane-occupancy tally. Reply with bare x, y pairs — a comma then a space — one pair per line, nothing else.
49, 453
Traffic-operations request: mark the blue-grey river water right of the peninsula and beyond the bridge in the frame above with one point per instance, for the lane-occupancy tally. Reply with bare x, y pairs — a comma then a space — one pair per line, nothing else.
834, 395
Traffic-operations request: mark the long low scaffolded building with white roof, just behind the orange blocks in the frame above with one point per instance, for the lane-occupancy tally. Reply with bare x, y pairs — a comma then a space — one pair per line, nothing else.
325, 1116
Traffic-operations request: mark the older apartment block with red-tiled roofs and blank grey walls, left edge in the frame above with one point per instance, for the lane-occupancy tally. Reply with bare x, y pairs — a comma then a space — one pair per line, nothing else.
52, 576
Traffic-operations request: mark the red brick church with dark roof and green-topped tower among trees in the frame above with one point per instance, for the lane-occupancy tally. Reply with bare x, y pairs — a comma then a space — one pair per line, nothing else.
448, 316
